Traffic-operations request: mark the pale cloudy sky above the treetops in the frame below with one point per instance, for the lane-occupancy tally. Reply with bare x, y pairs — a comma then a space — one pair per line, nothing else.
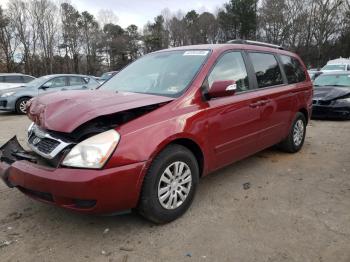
139, 12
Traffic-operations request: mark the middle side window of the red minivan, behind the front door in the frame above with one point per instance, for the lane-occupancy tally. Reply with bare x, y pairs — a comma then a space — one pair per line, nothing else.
267, 70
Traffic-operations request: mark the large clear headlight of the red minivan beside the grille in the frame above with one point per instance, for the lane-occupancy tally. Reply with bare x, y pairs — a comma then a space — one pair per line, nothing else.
94, 151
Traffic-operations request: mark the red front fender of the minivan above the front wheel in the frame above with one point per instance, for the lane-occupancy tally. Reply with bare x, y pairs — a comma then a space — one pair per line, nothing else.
144, 143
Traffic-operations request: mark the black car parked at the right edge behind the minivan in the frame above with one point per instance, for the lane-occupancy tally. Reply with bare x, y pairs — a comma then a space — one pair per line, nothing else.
332, 96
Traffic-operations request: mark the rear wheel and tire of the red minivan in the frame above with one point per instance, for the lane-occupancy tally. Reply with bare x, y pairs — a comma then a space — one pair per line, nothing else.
295, 139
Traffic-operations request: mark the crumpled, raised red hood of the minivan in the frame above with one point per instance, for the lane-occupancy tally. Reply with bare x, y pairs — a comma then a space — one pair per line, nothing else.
65, 111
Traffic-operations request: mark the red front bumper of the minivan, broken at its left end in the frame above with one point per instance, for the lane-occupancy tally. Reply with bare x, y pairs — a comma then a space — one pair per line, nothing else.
87, 191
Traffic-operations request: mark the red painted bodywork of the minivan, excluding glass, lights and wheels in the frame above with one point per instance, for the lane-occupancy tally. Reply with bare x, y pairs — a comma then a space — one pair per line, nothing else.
226, 129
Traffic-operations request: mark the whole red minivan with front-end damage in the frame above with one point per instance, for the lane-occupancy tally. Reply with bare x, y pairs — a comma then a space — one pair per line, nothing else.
146, 136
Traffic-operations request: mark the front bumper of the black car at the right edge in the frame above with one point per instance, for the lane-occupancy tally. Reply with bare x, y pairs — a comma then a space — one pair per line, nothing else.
330, 112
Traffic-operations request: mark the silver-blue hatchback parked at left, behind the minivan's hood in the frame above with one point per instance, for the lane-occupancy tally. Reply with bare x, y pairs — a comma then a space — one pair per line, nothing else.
15, 99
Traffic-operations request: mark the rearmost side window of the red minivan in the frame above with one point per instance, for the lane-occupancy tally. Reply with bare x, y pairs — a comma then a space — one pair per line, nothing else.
293, 69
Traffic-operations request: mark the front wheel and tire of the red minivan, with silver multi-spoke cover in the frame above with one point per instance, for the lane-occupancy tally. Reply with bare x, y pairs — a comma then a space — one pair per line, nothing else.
155, 204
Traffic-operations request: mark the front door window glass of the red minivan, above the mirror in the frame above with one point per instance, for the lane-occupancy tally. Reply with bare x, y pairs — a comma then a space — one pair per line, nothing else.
230, 67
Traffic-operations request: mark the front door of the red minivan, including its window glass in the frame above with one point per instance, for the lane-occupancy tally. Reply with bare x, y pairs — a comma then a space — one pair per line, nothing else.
234, 121
